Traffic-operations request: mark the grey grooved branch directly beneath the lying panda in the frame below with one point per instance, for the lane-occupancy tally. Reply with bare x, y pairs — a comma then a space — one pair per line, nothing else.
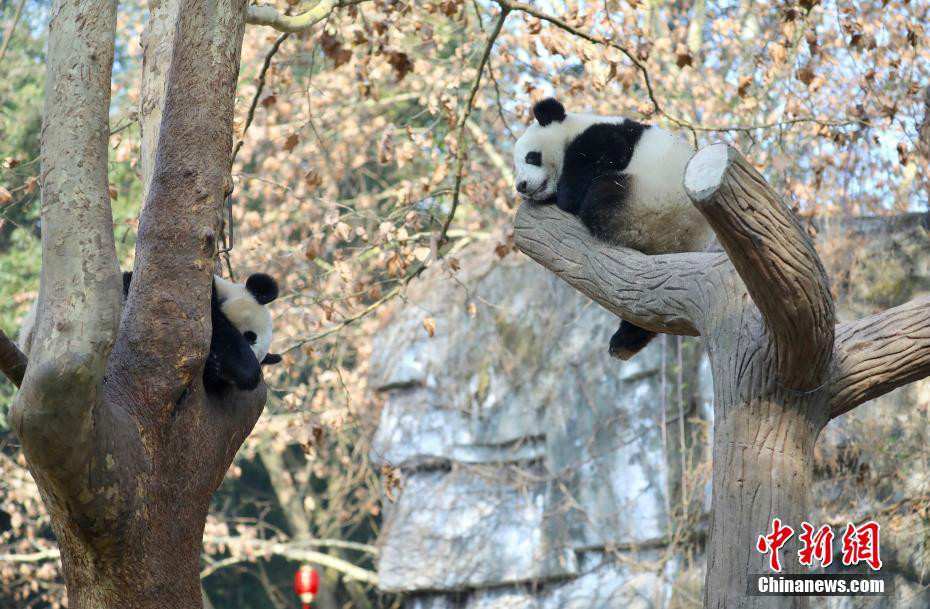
659, 293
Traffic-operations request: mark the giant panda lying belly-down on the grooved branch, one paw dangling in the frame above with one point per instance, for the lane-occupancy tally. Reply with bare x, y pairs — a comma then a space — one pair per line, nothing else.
623, 179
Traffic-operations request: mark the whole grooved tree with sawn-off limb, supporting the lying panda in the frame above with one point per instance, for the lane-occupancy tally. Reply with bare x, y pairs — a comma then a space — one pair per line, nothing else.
782, 367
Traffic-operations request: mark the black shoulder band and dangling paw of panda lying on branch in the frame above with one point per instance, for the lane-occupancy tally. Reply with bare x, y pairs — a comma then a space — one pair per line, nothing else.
593, 187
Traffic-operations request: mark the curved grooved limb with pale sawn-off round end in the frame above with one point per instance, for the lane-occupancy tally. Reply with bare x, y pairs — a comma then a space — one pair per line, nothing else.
774, 257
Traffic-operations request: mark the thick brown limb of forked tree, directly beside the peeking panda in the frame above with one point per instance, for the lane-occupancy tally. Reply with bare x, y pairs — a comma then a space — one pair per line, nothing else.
181, 217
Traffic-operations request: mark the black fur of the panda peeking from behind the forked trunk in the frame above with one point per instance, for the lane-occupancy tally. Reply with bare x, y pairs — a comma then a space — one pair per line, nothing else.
231, 361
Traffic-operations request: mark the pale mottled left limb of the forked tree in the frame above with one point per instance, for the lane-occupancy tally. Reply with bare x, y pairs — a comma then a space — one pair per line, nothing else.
80, 288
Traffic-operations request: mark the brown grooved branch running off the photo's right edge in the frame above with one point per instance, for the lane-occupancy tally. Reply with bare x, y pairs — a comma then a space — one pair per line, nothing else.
879, 353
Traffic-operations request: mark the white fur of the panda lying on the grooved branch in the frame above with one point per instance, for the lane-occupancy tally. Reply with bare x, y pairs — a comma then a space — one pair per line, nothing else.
660, 216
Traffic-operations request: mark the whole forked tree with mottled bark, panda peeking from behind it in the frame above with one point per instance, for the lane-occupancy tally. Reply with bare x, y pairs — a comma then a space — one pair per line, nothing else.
125, 445
